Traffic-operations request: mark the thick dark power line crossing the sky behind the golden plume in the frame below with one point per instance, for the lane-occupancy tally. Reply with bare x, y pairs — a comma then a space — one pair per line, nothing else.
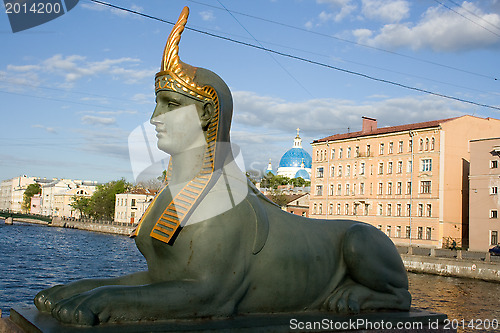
291, 56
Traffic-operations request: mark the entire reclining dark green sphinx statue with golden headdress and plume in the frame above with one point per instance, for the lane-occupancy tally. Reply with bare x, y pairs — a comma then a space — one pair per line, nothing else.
215, 246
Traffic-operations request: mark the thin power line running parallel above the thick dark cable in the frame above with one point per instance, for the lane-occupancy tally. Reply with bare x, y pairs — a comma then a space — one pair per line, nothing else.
351, 42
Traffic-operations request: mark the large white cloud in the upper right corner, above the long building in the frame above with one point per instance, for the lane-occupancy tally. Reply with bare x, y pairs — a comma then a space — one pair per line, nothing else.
439, 29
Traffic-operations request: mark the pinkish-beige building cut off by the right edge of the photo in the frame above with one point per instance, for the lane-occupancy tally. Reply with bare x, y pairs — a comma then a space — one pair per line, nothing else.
484, 203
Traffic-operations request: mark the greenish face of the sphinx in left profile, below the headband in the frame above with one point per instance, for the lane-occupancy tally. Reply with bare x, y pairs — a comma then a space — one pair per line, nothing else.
177, 122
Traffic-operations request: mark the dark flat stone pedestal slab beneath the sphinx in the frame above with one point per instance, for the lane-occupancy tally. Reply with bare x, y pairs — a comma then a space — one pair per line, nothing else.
31, 320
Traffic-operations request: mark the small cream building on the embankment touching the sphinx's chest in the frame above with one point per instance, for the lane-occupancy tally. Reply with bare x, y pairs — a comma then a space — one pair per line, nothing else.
130, 206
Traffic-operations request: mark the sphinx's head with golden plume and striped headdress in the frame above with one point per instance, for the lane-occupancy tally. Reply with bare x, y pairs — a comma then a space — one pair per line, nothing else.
193, 105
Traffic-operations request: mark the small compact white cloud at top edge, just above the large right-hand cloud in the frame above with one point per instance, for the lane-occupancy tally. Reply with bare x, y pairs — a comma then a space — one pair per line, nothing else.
386, 11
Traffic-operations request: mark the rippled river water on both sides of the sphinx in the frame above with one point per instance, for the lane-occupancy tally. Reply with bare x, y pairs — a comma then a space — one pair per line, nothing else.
34, 257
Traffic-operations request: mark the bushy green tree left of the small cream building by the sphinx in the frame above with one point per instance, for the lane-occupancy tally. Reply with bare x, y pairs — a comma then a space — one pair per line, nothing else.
102, 202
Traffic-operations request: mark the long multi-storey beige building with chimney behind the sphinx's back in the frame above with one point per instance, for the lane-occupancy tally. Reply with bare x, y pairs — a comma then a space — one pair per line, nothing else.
410, 181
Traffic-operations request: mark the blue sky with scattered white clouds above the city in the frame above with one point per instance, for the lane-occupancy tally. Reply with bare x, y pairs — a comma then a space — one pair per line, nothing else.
73, 90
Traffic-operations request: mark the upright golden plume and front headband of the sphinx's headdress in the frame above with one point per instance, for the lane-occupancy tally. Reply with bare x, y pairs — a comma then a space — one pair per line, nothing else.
174, 74
